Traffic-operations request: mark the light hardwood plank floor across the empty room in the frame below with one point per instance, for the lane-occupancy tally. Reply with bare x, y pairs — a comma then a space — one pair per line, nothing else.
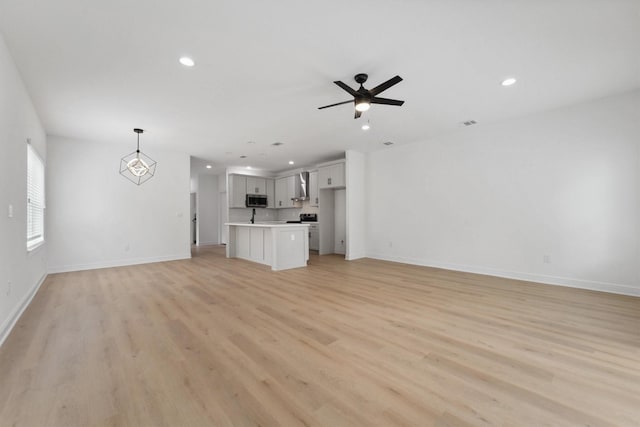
218, 342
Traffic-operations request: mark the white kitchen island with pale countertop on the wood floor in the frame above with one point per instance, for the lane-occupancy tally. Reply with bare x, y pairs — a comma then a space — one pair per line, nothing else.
280, 245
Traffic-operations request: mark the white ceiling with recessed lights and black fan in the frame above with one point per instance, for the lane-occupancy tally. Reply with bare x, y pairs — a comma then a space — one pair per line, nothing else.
97, 69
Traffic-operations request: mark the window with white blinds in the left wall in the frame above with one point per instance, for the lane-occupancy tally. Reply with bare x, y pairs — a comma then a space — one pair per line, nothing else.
35, 199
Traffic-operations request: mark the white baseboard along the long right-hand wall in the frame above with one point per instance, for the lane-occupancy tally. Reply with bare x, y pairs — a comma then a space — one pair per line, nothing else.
613, 288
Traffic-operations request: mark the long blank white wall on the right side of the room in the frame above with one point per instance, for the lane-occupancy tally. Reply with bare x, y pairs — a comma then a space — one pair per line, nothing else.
499, 198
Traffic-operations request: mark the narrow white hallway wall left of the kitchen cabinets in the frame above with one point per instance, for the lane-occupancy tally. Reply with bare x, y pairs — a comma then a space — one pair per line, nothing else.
208, 210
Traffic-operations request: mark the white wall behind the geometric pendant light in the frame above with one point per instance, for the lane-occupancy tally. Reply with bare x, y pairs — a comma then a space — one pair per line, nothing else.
97, 218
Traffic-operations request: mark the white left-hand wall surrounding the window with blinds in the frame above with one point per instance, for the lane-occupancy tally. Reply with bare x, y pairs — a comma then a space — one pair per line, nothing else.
20, 272
